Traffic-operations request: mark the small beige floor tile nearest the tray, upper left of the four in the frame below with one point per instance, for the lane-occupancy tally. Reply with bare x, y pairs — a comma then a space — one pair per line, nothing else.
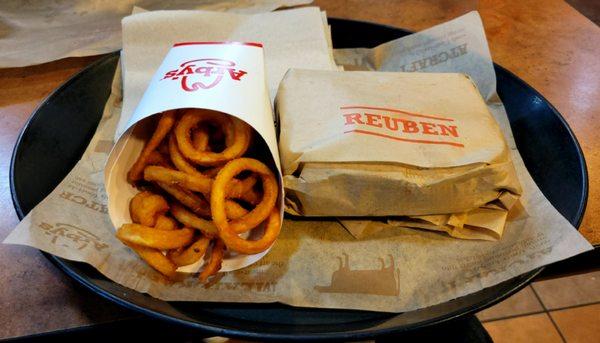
523, 302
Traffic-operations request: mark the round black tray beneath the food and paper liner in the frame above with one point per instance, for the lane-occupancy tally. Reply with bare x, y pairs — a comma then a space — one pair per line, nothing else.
58, 132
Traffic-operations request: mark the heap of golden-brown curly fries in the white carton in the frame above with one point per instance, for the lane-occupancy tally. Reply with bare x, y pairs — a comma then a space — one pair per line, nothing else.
201, 160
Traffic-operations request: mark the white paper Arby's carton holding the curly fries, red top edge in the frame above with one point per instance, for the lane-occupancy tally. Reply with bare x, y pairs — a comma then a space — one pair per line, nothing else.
226, 77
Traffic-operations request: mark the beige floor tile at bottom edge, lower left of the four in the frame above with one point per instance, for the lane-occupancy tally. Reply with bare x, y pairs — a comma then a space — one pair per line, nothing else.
531, 328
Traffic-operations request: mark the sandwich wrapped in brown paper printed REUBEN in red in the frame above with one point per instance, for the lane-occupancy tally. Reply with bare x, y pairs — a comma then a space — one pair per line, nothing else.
388, 144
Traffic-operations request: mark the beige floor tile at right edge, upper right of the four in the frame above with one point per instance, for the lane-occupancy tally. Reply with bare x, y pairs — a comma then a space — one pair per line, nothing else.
569, 290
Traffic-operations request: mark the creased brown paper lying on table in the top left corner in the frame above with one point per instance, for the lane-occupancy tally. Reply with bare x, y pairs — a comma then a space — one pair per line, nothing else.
38, 32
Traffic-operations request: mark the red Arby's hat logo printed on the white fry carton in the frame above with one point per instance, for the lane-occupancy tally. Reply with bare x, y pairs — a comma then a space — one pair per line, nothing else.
204, 73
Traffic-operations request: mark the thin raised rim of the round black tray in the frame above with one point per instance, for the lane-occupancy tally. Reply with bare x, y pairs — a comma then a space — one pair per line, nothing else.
354, 335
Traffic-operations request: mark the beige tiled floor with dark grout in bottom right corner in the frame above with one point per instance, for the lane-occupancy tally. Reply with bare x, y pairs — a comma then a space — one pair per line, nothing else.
566, 309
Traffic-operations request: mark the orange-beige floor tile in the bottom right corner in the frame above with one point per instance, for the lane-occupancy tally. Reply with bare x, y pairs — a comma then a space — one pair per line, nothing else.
579, 324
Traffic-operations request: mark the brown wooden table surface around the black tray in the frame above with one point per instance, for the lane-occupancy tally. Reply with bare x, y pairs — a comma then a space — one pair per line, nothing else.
547, 43
